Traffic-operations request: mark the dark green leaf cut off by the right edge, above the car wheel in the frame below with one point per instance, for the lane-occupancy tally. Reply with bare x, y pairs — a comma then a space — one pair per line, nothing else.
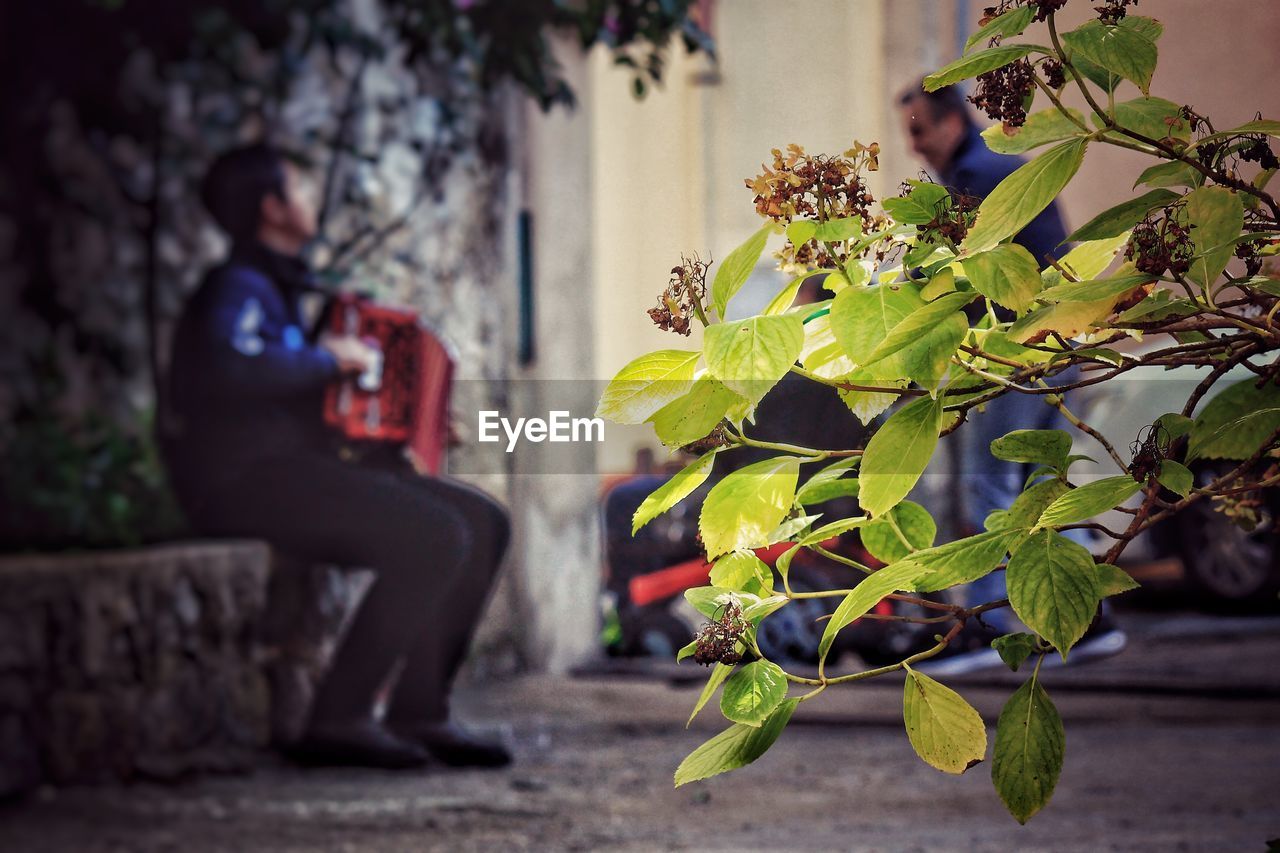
1236, 422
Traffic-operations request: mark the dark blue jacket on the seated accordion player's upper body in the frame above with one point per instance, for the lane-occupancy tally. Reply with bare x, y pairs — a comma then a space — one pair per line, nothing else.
246, 381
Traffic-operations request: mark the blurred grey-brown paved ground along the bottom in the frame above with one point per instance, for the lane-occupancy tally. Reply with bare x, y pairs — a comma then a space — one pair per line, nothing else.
1174, 746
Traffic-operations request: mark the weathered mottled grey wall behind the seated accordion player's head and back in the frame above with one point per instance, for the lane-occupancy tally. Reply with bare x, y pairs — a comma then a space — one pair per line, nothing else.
420, 211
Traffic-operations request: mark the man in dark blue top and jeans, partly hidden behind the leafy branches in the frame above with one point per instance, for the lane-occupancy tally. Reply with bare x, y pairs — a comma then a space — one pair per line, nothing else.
945, 136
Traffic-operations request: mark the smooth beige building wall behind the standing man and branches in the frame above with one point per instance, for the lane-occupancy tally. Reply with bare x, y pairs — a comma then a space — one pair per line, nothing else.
669, 170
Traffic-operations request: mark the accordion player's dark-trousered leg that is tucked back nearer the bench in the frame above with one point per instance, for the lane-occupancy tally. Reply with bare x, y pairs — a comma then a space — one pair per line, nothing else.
326, 510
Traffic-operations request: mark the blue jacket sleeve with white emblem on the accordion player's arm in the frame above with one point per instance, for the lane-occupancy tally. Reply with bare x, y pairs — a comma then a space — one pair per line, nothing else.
244, 353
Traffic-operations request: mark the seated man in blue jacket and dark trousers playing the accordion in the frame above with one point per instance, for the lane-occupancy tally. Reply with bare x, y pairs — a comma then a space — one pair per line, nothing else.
250, 458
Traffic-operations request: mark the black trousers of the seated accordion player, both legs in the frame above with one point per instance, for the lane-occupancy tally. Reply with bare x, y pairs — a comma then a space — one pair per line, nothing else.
435, 544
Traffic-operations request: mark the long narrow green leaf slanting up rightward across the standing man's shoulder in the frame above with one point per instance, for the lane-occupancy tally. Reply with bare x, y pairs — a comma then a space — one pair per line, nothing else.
1023, 195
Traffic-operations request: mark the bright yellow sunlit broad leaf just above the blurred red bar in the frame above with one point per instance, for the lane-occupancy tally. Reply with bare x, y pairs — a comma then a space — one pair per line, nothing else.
744, 508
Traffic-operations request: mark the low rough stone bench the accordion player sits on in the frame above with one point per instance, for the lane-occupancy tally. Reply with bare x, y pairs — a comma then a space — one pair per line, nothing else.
157, 663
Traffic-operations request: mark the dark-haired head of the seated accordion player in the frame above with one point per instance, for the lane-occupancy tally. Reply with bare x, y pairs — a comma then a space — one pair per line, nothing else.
258, 195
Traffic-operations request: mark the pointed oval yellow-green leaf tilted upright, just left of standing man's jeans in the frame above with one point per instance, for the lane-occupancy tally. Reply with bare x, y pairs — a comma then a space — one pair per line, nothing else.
898, 454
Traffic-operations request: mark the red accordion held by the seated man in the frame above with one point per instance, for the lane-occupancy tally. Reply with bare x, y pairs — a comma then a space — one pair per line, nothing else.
405, 398
